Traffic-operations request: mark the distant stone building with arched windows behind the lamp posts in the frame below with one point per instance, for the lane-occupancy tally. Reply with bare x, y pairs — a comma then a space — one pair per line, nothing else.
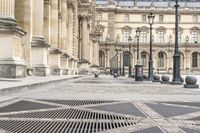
119, 19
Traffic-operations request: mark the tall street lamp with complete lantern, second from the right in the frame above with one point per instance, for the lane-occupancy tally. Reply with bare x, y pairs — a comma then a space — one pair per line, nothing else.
150, 71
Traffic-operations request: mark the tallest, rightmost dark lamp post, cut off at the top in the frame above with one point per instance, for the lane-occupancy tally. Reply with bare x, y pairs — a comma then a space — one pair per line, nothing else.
176, 58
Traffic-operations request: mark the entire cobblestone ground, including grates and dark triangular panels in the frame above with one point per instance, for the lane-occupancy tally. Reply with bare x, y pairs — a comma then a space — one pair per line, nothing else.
102, 105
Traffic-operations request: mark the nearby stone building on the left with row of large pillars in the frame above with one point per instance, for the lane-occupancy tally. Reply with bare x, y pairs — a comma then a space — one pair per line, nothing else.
47, 37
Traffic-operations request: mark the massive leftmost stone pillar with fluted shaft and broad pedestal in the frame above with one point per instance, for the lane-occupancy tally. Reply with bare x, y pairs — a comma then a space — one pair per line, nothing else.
12, 63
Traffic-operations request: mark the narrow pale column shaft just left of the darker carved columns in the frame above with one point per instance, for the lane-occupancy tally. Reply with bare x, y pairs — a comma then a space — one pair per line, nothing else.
70, 27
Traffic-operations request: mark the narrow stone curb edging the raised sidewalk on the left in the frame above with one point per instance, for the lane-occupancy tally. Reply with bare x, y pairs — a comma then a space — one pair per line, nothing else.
34, 85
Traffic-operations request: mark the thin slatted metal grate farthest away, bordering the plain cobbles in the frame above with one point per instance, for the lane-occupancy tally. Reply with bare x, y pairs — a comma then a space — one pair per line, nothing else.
78, 102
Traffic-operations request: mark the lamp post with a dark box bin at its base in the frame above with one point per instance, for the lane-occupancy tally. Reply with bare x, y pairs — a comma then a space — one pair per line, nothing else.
138, 66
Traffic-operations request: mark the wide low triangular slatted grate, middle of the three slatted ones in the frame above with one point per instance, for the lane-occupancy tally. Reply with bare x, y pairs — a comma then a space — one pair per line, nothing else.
68, 114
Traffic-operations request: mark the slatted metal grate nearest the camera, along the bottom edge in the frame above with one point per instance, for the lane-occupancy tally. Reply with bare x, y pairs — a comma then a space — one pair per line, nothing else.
19, 126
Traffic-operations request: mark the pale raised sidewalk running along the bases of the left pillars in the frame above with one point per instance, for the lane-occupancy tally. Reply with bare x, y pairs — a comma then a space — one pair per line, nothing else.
32, 81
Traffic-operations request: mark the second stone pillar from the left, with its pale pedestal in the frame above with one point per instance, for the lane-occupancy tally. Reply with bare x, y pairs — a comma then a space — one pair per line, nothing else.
39, 46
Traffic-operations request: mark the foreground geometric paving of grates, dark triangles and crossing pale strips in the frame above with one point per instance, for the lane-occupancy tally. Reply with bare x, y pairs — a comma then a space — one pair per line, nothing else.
79, 116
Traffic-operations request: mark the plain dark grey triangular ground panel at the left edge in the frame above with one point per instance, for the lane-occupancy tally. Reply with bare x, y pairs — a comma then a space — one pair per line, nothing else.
24, 105
